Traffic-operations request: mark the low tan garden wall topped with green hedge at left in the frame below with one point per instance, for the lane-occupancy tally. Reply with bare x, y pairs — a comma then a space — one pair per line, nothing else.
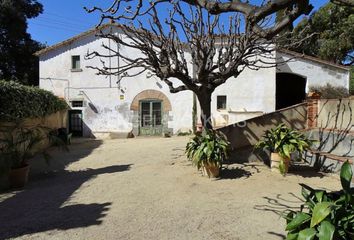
28, 107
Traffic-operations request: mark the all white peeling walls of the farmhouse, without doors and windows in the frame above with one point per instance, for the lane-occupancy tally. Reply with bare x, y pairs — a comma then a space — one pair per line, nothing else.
106, 110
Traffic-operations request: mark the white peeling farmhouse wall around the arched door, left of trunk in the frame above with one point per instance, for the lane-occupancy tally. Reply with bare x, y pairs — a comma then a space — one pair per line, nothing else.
105, 111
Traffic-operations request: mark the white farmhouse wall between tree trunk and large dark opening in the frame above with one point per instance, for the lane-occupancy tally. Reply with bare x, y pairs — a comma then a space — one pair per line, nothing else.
249, 95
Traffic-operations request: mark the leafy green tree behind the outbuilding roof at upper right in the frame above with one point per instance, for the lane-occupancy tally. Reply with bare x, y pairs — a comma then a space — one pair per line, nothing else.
333, 39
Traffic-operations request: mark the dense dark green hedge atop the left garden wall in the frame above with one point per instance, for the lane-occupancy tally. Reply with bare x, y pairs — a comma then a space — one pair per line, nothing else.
18, 102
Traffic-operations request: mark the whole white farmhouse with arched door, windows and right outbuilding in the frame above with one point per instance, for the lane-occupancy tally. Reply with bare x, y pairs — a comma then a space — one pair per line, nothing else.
112, 106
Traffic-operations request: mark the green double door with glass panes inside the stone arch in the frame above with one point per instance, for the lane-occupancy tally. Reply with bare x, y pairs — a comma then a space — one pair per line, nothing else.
150, 118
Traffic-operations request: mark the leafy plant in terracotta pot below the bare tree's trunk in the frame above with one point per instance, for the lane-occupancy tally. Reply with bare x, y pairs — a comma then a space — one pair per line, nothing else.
207, 150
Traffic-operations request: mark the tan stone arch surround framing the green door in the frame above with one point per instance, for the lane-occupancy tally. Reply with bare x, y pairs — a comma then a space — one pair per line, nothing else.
150, 95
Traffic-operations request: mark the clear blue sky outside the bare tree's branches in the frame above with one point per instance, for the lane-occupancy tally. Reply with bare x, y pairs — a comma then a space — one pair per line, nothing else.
63, 19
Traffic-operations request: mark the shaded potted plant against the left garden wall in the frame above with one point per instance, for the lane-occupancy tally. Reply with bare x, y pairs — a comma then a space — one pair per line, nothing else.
17, 145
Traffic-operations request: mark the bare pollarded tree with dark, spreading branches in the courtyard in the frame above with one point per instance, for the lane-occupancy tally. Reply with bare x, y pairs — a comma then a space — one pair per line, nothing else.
219, 50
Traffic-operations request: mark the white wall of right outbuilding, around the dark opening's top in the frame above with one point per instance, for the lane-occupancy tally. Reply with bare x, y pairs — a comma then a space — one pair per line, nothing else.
316, 73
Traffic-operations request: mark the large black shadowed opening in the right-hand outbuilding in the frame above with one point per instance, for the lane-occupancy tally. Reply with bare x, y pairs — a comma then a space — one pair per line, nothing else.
290, 89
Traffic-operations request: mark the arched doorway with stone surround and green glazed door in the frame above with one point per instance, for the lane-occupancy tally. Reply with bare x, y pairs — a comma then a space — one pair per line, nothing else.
150, 109
